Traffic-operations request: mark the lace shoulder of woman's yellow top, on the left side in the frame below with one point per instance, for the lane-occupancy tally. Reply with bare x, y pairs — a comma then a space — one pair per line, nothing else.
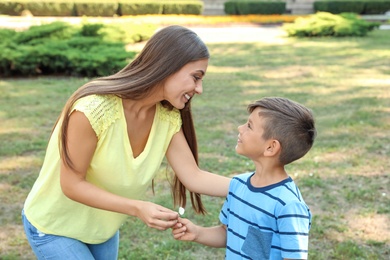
101, 111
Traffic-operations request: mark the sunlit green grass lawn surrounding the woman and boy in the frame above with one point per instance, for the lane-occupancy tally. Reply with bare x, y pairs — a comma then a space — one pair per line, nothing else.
345, 178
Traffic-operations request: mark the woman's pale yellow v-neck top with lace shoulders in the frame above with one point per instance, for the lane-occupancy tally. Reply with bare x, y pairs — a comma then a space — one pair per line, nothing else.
112, 168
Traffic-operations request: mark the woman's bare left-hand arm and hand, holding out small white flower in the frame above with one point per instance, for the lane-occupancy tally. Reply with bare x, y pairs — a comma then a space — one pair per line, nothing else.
82, 143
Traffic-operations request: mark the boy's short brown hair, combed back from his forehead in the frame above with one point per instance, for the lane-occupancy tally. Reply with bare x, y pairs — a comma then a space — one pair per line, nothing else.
290, 123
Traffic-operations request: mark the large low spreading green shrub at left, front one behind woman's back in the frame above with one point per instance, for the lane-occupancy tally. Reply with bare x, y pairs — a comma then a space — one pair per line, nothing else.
78, 57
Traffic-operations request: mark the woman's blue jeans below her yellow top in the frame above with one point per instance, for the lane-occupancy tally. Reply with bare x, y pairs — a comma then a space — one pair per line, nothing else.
58, 247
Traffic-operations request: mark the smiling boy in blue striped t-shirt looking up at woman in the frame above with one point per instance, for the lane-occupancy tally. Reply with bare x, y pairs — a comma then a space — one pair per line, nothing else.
264, 215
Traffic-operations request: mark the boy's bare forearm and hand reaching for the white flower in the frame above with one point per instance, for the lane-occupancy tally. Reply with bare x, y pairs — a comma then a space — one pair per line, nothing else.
210, 236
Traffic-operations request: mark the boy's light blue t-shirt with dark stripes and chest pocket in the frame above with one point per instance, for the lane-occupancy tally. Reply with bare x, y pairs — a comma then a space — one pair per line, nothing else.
270, 222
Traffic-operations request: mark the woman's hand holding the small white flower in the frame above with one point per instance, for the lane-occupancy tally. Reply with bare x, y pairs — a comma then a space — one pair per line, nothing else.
156, 216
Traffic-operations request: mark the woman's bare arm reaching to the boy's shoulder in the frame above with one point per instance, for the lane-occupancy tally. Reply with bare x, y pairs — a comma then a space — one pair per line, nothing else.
196, 180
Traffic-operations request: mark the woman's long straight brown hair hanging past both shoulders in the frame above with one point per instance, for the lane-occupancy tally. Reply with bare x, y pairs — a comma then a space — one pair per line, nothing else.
165, 53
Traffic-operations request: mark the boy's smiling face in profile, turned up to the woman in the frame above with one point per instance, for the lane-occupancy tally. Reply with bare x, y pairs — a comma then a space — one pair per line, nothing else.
250, 142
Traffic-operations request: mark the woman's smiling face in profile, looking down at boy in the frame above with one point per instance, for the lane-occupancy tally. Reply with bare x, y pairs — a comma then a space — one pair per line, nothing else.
180, 87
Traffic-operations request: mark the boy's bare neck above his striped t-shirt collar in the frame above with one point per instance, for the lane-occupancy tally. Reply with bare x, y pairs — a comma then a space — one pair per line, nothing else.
265, 176
